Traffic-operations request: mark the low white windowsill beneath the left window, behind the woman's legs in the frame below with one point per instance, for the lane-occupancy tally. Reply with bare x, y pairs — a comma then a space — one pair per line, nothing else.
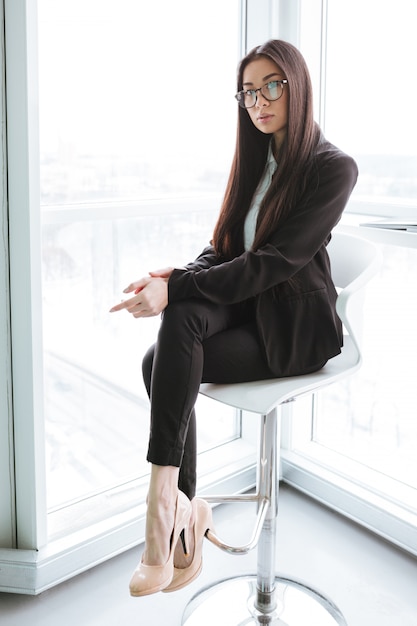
32, 572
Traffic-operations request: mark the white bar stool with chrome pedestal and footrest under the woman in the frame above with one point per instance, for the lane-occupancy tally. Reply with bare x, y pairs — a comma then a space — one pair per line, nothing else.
264, 598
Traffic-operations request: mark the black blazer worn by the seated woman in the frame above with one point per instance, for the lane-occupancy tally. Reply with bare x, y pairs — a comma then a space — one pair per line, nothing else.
297, 322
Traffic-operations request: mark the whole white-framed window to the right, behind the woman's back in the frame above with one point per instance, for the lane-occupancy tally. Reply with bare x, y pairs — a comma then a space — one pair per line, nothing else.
353, 446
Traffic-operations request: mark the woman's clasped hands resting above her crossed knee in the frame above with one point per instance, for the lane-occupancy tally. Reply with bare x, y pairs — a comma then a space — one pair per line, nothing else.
151, 295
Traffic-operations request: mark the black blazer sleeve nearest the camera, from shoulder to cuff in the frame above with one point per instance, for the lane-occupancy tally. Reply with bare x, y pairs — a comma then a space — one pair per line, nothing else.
290, 248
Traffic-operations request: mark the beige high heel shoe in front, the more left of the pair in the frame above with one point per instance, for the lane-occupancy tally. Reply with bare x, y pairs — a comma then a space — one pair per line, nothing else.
149, 579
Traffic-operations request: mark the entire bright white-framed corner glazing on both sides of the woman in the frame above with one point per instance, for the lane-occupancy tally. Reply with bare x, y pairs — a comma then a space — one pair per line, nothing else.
86, 204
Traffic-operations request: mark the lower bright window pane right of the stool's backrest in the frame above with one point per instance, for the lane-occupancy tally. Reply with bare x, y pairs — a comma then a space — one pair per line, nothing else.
371, 417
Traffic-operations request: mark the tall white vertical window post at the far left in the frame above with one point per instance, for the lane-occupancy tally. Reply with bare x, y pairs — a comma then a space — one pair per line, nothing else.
25, 283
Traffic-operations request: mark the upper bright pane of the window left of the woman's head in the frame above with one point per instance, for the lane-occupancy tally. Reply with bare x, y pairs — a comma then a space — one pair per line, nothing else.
136, 100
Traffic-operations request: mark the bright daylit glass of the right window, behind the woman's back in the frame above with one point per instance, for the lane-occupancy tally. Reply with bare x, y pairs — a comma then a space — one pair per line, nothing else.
369, 420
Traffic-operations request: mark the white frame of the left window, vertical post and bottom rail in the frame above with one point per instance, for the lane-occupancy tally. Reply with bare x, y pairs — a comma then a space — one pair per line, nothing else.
30, 564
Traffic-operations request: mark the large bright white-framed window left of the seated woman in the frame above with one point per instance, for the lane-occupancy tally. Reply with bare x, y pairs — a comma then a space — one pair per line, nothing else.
121, 130
